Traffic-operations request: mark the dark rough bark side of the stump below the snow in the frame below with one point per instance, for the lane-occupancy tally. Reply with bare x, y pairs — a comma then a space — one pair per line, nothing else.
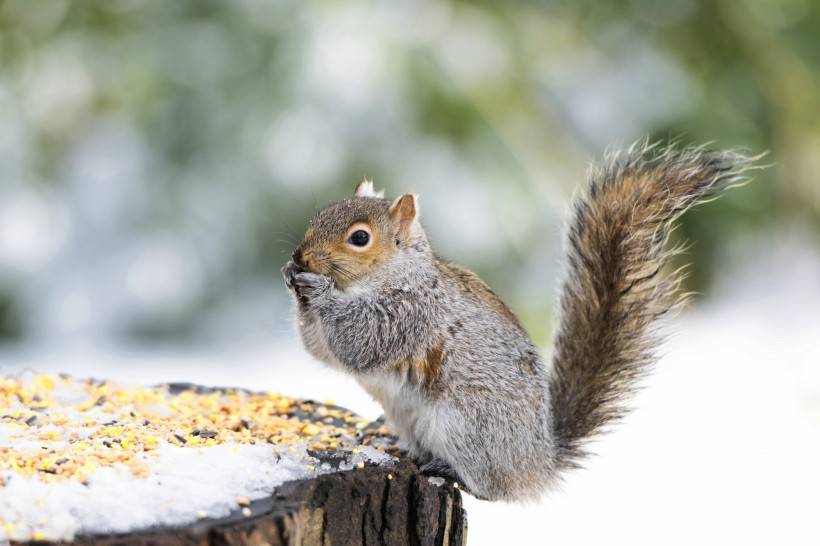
388, 504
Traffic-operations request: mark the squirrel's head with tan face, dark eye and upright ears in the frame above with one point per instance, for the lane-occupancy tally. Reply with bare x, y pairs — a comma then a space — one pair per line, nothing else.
347, 240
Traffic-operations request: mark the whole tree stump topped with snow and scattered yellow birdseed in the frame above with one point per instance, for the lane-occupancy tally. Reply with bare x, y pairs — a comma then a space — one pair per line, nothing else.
90, 462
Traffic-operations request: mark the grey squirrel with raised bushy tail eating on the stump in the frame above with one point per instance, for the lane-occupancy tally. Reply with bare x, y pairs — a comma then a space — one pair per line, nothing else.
459, 380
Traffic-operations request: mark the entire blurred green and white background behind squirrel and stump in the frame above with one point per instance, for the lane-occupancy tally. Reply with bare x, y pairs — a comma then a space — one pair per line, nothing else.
159, 161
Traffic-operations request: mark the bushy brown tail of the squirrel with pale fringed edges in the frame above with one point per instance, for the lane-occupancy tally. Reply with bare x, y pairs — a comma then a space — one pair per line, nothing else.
616, 286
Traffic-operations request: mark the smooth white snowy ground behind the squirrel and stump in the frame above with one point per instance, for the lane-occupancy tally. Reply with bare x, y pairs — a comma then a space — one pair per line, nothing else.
722, 448
